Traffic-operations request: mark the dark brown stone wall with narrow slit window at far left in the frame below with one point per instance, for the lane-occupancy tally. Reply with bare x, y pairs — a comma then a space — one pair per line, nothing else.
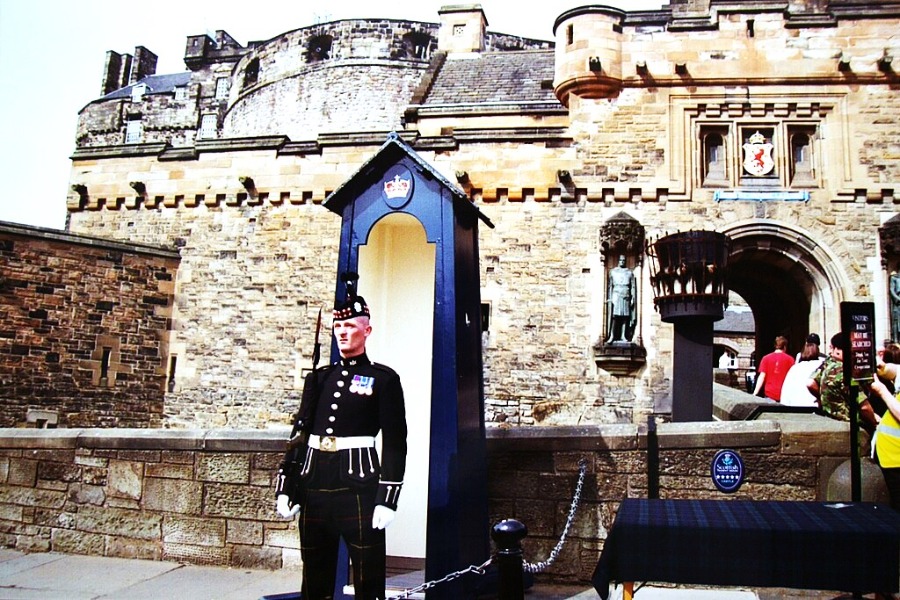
84, 328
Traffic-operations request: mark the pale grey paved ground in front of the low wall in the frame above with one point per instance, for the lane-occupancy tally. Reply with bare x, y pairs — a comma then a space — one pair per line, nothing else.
73, 577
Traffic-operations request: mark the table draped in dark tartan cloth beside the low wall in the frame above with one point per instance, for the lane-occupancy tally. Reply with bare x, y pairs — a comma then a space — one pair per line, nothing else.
805, 545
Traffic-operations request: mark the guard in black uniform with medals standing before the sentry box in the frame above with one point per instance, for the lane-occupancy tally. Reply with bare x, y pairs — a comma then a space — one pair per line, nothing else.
334, 480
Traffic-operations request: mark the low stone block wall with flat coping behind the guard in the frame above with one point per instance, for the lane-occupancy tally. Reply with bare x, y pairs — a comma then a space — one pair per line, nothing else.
206, 496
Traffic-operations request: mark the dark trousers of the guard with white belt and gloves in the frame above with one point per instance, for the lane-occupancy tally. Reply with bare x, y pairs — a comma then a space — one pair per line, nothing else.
332, 511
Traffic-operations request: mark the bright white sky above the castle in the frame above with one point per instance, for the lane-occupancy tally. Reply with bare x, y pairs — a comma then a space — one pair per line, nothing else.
52, 54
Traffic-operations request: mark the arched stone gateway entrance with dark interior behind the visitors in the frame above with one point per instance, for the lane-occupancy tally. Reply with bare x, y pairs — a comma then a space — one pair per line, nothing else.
789, 281
